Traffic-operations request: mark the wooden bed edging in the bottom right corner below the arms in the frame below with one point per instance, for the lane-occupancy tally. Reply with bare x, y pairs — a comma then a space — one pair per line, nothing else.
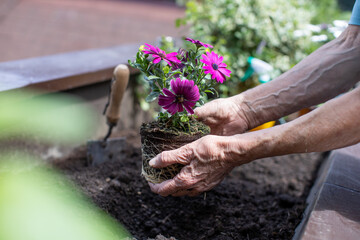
333, 206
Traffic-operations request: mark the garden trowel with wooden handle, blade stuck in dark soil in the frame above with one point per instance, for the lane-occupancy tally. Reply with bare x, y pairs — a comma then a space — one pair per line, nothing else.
99, 151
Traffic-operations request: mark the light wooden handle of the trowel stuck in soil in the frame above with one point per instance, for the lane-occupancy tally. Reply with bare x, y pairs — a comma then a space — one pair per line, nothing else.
118, 87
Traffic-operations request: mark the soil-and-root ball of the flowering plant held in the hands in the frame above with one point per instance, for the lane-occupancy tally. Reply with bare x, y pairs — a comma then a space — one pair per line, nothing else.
157, 137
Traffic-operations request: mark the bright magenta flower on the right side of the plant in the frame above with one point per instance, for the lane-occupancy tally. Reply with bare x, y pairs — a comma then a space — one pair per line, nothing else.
215, 66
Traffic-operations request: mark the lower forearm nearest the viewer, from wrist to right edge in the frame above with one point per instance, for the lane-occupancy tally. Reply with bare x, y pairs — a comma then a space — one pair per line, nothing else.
333, 125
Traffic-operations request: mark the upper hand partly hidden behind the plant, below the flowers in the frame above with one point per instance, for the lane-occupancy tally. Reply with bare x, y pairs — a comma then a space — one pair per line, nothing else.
223, 116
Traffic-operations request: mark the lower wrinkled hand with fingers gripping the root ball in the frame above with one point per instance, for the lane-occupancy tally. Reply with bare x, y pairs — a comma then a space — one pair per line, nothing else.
207, 161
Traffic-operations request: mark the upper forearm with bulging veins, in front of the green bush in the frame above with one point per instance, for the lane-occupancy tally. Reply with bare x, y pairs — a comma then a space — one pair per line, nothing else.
329, 71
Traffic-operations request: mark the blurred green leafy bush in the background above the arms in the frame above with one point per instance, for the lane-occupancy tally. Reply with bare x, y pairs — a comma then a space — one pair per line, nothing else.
265, 29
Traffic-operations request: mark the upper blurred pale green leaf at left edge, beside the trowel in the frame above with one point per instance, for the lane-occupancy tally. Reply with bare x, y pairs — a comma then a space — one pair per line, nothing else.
52, 118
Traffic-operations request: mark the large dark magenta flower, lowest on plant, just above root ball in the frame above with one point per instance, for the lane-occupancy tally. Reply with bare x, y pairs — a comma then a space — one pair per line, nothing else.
185, 95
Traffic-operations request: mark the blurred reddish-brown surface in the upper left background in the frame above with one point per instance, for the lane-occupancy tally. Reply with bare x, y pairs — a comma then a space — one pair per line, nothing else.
35, 28
